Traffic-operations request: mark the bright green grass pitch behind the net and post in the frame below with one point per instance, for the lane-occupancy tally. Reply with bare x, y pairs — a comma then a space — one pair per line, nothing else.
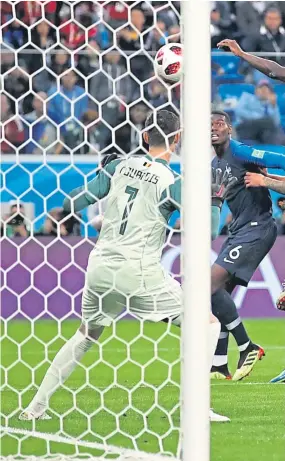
255, 407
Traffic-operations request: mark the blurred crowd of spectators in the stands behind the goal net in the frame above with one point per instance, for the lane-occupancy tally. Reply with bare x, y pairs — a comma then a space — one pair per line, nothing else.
79, 75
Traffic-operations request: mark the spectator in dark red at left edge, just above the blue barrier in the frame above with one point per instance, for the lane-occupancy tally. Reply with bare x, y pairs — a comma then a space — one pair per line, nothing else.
12, 128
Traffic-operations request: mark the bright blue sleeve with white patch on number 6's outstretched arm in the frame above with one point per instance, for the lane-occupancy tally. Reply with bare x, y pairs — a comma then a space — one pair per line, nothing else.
259, 157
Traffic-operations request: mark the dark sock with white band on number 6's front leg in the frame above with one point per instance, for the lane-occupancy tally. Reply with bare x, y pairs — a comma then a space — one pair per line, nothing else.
224, 308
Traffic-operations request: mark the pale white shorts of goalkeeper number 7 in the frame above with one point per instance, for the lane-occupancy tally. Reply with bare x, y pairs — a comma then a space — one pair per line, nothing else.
116, 288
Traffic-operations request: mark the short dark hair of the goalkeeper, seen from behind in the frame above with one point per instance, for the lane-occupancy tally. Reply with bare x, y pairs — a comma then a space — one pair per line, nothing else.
162, 126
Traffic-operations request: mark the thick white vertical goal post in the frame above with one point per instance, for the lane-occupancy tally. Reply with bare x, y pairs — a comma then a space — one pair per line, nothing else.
197, 228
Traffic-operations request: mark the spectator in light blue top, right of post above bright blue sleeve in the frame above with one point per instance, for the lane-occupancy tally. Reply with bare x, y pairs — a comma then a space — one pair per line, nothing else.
258, 117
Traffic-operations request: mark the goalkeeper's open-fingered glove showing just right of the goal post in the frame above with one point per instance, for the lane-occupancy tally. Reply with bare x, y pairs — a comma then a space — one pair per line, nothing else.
222, 181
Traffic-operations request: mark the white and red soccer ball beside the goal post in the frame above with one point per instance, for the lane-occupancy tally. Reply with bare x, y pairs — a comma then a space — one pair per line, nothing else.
168, 62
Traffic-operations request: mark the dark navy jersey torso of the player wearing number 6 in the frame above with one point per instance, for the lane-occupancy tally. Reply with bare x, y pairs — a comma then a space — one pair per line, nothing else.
246, 205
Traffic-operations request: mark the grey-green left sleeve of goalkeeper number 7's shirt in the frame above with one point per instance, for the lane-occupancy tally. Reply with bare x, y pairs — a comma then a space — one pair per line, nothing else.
95, 190
